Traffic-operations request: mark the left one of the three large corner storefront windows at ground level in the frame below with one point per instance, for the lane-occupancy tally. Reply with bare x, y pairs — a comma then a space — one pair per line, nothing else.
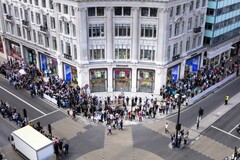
98, 80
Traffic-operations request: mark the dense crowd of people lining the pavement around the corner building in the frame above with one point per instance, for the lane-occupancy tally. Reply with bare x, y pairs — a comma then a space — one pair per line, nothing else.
113, 108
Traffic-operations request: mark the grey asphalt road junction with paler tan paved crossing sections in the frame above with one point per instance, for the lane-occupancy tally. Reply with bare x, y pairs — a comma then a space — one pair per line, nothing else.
134, 142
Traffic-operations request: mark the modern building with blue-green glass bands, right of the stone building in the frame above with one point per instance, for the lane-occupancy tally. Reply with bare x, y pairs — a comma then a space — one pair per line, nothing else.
222, 30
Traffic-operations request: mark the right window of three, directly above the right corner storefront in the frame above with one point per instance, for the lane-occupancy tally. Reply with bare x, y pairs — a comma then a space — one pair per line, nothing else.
147, 53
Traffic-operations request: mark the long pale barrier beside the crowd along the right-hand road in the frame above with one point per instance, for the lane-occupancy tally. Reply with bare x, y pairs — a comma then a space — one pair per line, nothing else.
200, 95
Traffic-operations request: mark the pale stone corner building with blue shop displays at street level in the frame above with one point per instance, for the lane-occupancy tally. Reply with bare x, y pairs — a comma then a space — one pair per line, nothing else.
112, 46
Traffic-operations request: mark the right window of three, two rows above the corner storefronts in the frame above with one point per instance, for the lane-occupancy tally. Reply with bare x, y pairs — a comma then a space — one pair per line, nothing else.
148, 30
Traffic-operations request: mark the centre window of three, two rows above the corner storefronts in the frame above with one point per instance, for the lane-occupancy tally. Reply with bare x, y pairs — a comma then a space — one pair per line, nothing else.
122, 30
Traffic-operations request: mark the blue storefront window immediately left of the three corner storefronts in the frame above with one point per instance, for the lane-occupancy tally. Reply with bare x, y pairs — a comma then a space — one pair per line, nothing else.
70, 73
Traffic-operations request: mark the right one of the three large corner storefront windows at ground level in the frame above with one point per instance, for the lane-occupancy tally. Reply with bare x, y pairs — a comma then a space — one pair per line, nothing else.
145, 80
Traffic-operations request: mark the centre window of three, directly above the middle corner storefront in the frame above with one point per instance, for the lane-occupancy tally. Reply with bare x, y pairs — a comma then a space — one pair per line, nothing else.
122, 52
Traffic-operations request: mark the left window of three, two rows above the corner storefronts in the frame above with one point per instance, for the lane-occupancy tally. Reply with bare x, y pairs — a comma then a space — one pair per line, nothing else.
96, 30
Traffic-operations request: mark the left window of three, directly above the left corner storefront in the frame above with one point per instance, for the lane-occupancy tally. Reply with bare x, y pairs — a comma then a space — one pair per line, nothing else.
97, 53
